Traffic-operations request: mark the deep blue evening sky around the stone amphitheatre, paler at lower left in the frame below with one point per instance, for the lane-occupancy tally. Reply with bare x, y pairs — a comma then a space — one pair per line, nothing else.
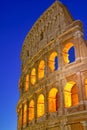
16, 19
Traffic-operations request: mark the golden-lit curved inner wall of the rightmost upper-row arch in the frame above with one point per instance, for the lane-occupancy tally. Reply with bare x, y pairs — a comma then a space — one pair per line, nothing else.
65, 52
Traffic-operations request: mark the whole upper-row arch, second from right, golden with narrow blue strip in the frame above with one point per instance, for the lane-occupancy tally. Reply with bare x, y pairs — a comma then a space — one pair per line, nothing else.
53, 61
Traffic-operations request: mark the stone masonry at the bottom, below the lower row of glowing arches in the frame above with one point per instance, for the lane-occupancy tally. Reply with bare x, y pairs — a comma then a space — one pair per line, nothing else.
75, 121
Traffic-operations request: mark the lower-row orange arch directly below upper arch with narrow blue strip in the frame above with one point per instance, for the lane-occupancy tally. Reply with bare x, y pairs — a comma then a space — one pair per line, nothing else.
53, 100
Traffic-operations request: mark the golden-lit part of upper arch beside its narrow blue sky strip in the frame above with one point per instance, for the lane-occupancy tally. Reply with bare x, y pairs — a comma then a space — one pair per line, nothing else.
52, 61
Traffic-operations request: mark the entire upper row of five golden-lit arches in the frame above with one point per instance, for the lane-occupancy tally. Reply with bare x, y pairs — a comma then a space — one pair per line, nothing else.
52, 63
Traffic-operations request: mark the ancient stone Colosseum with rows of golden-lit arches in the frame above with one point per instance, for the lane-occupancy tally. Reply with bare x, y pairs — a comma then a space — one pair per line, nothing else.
53, 81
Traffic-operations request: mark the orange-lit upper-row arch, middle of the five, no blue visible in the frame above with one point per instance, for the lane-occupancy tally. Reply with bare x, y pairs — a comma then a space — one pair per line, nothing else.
41, 69
